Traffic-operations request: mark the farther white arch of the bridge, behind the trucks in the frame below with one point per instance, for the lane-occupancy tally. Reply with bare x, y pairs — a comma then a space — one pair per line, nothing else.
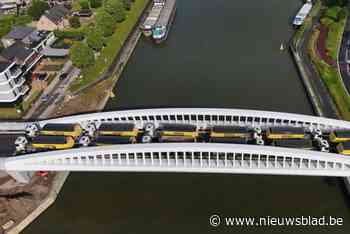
206, 117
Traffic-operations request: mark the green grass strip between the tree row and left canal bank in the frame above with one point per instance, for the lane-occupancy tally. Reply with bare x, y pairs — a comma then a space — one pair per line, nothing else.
114, 44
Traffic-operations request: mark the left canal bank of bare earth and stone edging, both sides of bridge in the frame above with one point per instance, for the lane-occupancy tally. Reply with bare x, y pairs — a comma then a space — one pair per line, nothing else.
100, 99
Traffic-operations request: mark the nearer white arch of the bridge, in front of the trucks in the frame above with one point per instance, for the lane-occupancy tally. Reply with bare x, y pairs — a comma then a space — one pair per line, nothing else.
183, 157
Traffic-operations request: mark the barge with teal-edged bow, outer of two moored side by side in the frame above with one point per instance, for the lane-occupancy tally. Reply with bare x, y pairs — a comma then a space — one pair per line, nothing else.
162, 27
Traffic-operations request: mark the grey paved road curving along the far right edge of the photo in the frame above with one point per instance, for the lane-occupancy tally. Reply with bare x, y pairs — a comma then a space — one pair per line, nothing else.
342, 58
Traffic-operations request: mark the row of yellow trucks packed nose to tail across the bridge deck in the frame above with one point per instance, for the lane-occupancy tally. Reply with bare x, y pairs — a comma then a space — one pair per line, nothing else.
64, 136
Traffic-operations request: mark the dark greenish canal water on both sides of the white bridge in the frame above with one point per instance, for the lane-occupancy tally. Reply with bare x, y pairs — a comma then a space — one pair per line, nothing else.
219, 54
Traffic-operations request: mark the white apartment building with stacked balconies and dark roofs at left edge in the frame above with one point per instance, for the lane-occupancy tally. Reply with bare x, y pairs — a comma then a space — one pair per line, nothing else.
23, 51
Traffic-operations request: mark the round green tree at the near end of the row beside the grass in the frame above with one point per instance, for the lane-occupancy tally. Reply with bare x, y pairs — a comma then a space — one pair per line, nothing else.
81, 55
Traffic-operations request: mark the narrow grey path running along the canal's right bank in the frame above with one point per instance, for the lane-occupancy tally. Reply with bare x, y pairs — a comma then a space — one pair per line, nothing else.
328, 107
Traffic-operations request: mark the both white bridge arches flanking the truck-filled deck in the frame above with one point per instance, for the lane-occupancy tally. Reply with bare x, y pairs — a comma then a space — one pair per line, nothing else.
186, 157
